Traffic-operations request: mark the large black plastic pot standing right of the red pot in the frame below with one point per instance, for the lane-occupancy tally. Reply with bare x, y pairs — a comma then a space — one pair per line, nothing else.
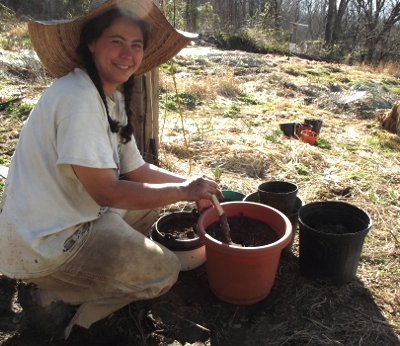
331, 239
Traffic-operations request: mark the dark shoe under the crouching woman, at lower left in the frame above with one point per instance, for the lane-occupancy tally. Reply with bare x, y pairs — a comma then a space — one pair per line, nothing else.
51, 319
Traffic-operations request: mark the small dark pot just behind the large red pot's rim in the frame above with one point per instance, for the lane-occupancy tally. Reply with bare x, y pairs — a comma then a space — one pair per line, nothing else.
280, 195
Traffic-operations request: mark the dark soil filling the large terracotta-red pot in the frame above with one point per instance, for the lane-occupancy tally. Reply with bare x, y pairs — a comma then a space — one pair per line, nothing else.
245, 231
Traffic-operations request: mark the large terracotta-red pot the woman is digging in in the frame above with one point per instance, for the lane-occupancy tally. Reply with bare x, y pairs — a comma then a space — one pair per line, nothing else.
243, 275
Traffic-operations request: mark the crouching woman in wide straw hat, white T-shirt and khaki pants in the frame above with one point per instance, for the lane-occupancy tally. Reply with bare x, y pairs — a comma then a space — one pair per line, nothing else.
69, 227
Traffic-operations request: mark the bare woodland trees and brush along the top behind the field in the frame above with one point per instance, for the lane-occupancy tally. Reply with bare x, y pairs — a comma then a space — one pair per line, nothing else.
347, 31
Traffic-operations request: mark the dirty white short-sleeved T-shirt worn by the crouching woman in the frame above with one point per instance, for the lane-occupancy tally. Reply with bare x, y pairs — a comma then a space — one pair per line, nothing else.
43, 201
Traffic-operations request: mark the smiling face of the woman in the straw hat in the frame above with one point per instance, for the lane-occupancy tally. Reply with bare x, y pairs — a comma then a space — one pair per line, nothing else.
117, 53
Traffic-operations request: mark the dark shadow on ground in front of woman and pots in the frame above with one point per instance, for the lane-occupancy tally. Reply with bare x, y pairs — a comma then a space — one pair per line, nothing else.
296, 312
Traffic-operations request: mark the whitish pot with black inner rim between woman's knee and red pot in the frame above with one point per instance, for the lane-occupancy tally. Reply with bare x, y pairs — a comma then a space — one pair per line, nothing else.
191, 252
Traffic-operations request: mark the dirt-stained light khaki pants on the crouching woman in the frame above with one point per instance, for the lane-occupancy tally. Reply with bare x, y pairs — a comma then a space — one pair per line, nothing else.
115, 266
